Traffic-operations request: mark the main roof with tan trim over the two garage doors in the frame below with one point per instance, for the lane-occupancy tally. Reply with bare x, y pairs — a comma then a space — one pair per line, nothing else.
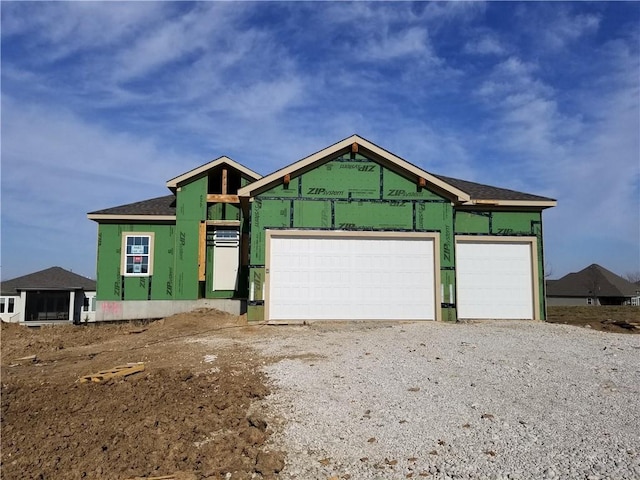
459, 191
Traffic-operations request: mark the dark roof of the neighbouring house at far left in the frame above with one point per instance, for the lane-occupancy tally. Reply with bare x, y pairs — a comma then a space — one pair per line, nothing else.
54, 278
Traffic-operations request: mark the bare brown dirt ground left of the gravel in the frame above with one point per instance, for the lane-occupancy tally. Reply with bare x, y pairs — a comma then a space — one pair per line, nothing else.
190, 414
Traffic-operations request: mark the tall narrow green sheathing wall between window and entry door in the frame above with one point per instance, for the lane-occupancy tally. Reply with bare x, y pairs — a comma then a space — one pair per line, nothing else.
191, 209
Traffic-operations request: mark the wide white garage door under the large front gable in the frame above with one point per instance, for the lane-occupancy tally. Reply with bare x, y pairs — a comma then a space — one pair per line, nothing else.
336, 276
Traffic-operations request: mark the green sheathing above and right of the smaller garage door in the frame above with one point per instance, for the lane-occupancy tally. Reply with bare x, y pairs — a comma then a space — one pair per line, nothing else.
508, 224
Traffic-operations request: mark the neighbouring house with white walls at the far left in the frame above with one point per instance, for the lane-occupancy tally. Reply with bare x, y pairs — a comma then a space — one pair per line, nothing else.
54, 295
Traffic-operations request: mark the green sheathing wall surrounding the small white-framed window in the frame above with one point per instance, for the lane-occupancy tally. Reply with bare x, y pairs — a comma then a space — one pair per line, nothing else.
111, 285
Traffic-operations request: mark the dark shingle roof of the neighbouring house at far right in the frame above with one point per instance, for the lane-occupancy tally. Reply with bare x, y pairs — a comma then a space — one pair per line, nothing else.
593, 279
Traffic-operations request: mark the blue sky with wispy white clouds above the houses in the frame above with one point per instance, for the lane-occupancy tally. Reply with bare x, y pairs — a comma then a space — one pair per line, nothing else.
102, 103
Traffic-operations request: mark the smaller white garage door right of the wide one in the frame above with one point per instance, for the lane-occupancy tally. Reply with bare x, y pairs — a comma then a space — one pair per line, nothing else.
494, 280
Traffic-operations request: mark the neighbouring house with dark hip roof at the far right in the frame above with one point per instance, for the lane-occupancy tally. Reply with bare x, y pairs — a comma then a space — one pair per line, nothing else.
594, 285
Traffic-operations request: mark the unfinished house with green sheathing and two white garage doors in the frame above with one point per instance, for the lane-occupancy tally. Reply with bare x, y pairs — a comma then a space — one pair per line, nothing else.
350, 232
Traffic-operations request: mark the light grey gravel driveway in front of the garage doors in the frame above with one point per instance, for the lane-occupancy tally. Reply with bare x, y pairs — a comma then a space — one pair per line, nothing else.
495, 400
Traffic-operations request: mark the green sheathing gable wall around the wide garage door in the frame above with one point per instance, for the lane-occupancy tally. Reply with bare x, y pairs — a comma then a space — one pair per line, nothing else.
351, 192
